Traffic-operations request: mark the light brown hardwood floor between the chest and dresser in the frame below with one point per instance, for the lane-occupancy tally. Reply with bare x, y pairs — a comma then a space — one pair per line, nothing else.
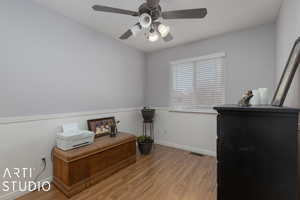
167, 174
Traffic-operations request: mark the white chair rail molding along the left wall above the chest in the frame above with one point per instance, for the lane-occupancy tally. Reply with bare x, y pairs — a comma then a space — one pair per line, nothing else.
22, 119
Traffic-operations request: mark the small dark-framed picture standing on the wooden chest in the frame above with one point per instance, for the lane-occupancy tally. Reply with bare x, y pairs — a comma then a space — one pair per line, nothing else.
101, 127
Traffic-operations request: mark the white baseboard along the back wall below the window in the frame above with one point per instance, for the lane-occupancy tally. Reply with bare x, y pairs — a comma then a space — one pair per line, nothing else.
187, 148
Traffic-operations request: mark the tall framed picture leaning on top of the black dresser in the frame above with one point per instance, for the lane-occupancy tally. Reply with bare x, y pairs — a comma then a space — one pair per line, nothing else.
287, 76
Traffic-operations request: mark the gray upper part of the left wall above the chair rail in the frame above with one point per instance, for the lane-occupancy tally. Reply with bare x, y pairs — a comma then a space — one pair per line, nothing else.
50, 64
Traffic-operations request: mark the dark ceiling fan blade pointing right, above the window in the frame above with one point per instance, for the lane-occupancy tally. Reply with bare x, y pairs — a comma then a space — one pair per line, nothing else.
185, 14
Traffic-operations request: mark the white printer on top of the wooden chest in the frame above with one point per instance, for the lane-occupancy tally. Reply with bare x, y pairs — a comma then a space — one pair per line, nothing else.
72, 137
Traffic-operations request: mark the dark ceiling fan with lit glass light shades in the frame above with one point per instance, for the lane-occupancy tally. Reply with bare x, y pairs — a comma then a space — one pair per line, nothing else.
149, 14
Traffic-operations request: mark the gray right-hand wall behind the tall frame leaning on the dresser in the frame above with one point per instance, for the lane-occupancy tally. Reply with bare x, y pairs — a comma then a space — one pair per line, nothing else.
288, 30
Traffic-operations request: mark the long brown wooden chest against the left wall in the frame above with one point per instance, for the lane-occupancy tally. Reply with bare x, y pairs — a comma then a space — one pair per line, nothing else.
78, 169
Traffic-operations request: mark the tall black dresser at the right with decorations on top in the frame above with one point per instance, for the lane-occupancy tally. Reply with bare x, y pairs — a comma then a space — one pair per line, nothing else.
257, 153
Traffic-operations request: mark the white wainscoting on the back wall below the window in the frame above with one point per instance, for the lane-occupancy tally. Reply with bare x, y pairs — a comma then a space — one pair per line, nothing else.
194, 131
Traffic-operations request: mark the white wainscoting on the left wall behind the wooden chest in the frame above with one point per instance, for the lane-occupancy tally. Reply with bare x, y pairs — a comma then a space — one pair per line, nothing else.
25, 140
